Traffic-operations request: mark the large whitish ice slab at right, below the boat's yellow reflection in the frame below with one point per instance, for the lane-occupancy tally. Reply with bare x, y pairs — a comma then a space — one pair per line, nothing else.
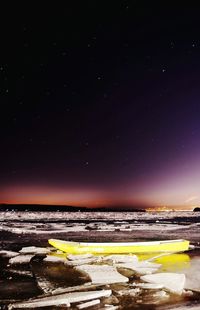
173, 282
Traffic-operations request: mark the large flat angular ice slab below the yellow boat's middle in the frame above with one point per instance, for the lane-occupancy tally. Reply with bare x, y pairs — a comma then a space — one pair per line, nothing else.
102, 274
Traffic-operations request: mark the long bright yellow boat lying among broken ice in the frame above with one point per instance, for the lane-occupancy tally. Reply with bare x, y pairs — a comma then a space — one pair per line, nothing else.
167, 246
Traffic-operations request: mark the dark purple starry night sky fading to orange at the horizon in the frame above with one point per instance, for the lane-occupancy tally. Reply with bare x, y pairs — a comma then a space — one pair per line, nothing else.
100, 105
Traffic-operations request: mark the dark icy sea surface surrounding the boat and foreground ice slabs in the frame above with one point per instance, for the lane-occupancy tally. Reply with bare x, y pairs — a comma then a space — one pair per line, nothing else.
22, 229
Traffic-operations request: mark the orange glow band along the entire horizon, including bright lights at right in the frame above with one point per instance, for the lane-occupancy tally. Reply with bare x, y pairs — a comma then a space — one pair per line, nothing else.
46, 195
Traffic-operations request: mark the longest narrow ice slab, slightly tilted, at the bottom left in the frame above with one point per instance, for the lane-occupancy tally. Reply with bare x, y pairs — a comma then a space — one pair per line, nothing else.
63, 299
